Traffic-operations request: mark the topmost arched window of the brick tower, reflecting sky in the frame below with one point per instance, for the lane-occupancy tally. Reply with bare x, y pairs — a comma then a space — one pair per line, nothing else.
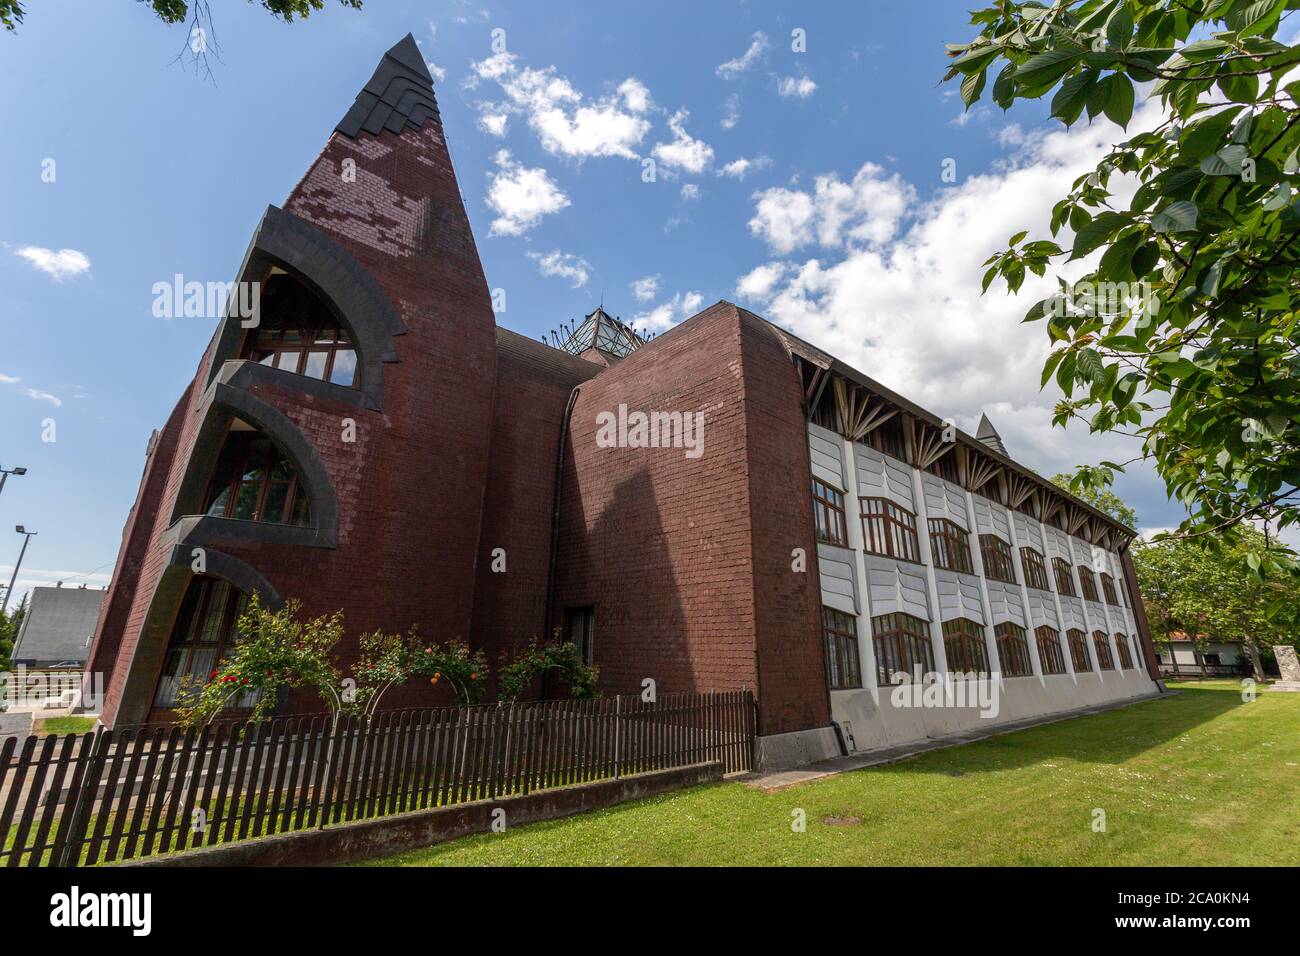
298, 334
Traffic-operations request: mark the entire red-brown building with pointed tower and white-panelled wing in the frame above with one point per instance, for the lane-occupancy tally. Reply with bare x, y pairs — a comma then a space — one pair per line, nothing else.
372, 440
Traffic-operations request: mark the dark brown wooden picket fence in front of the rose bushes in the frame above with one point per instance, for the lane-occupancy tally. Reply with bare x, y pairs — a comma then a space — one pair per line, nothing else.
122, 795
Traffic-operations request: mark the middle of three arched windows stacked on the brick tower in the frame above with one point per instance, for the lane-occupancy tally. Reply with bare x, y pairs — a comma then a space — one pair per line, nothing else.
254, 482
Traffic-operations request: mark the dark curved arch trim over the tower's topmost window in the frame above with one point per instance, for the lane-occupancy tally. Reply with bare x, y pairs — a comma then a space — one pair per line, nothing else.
348, 289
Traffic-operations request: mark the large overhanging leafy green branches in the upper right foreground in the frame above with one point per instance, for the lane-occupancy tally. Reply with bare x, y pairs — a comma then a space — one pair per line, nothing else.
1185, 332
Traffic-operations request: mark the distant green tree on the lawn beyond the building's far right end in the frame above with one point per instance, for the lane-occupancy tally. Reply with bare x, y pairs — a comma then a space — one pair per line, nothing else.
1215, 594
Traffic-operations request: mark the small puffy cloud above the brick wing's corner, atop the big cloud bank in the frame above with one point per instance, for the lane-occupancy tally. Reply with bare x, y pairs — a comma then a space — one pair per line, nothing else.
868, 209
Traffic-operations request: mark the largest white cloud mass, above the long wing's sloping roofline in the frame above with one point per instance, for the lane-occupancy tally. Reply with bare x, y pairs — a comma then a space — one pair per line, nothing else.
894, 288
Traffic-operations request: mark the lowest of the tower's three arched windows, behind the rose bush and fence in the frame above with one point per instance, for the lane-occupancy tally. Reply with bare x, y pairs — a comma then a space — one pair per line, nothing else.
202, 637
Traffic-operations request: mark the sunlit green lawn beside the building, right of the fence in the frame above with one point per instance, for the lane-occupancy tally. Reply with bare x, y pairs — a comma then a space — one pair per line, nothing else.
1198, 778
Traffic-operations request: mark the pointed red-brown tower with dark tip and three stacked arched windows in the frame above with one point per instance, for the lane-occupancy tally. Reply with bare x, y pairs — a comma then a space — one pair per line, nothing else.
336, 452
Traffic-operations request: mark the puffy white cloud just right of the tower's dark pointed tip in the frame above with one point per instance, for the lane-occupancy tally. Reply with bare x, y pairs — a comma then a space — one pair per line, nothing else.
566, 123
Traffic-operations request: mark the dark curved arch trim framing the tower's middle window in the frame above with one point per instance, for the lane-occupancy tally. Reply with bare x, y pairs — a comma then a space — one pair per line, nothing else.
220, 405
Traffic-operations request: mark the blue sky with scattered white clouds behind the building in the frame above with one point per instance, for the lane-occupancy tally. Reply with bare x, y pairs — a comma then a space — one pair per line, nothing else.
807, 185
